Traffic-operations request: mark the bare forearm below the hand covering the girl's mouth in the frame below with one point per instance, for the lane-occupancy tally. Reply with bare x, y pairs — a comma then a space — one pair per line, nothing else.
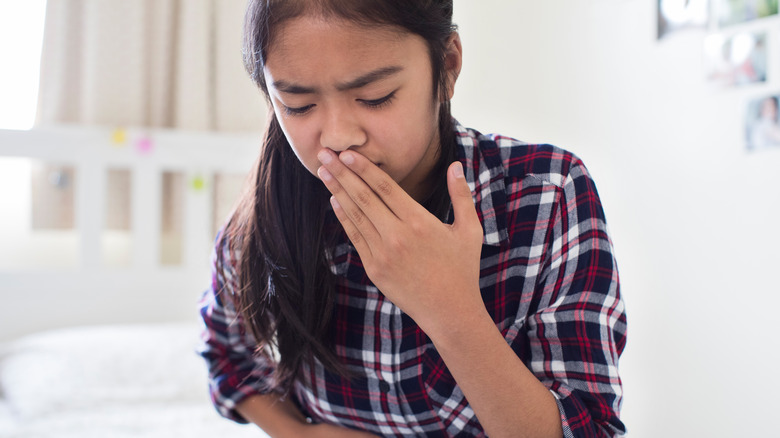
506, 397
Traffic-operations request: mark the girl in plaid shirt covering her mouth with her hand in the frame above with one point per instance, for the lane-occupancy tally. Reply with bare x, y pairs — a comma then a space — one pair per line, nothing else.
390, 272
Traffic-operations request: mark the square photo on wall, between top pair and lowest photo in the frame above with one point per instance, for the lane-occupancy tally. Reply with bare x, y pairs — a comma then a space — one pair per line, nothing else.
735, 60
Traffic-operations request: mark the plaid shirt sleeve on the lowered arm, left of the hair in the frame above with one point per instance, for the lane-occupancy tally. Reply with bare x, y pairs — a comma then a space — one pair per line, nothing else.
235, 370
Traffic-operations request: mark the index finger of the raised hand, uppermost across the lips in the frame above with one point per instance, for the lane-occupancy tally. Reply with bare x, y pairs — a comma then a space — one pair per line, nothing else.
393, 196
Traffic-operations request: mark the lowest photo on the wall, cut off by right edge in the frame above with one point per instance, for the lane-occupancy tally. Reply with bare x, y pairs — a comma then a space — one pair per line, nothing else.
762, 127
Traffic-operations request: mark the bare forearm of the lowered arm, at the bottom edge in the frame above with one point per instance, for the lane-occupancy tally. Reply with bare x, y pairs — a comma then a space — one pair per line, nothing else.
278, 418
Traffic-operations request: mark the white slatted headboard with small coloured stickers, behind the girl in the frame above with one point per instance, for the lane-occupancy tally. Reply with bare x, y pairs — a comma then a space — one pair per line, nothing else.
90, 291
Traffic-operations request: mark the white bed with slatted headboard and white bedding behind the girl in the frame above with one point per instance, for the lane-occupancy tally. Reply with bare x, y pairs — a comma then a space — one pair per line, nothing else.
95, 350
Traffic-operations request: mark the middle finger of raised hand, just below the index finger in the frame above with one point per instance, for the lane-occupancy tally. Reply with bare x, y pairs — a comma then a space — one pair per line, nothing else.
361, 194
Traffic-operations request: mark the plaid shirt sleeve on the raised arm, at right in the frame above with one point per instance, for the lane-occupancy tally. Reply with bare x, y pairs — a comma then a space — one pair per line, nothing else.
579, 330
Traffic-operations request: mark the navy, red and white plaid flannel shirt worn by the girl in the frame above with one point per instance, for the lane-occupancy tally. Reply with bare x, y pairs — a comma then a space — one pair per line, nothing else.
548, 278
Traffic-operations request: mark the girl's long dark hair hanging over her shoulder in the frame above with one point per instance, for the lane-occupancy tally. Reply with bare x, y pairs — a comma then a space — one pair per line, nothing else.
278, 231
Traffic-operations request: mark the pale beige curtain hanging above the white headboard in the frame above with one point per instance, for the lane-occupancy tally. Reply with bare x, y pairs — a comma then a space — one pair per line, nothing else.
149, 63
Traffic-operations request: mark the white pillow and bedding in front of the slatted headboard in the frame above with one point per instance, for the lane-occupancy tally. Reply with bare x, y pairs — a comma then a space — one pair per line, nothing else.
109, 381
